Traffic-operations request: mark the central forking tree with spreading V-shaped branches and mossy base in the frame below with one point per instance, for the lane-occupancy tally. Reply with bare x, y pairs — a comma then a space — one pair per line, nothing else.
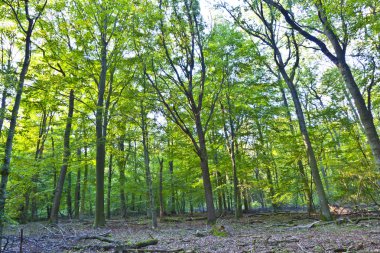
186, 79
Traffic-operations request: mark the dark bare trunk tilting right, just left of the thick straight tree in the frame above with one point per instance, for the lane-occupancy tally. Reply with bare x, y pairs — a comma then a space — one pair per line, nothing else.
65, 161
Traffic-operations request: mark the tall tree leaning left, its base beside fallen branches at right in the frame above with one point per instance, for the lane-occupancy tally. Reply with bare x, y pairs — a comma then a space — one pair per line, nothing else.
268, 35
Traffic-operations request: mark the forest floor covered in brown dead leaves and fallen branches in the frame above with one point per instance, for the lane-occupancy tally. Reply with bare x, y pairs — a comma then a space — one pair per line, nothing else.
282, 232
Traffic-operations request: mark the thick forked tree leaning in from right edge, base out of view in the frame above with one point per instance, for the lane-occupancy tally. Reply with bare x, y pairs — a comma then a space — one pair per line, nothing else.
329, 17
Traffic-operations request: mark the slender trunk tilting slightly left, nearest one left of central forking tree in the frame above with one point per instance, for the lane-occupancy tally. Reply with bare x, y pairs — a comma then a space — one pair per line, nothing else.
149, 184
